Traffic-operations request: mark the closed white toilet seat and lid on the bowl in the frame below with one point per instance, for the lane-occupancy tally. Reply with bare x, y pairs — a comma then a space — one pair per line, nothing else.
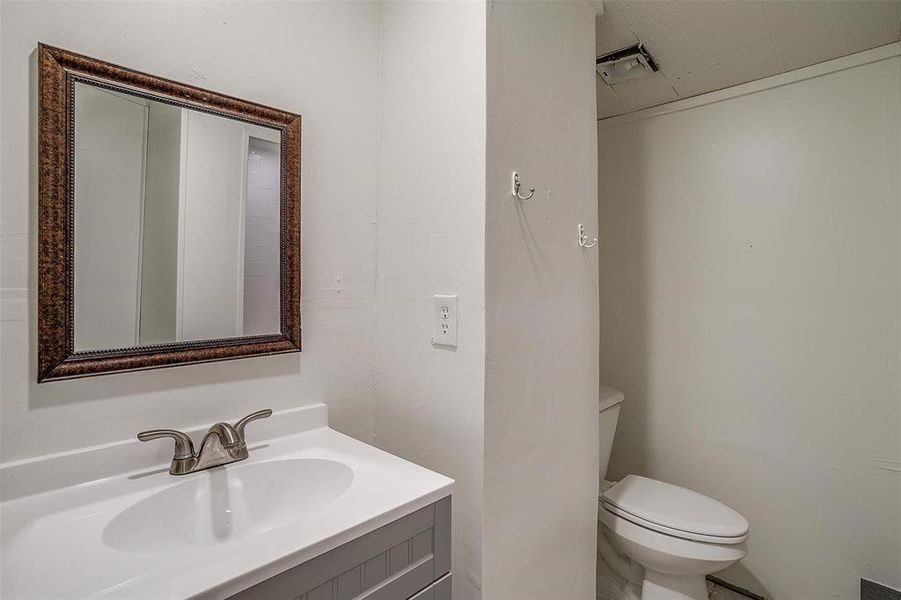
675, 511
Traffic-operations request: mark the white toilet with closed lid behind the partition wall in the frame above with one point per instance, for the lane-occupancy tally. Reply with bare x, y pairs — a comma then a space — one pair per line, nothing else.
677, 536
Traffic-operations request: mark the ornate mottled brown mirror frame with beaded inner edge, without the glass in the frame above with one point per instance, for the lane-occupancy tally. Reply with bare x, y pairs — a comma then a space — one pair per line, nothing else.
59, 71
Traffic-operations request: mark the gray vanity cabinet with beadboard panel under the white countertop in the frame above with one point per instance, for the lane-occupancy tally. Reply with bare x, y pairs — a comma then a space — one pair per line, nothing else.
406, 559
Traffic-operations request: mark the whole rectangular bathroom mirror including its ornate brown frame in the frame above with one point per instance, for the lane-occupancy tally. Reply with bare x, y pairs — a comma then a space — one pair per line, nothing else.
169, 222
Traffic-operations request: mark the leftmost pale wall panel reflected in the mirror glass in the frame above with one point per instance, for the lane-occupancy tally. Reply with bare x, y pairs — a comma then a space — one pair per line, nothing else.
109, 181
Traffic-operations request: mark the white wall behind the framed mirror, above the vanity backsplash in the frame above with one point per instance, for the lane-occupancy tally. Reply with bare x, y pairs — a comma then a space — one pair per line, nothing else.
279, 61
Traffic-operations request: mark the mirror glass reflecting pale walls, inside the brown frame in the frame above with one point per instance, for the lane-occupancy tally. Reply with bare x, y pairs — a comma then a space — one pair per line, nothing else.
176, 223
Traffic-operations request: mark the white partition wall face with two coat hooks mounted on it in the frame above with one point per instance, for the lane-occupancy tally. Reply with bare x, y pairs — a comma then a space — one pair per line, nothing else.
541, 388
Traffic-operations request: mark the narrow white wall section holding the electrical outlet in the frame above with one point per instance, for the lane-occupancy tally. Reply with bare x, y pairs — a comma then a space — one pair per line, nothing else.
431, 220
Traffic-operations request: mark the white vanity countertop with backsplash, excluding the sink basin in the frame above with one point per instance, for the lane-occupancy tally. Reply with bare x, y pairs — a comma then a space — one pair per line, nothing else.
52, 540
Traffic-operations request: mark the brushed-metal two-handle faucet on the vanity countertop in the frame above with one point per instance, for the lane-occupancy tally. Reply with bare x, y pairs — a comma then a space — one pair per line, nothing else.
222, 444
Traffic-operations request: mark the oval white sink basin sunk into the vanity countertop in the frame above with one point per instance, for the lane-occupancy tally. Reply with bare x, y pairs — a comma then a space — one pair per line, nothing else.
226, 504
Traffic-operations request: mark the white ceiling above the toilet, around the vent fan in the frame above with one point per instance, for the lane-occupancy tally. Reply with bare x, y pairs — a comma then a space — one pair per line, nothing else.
707, 45
